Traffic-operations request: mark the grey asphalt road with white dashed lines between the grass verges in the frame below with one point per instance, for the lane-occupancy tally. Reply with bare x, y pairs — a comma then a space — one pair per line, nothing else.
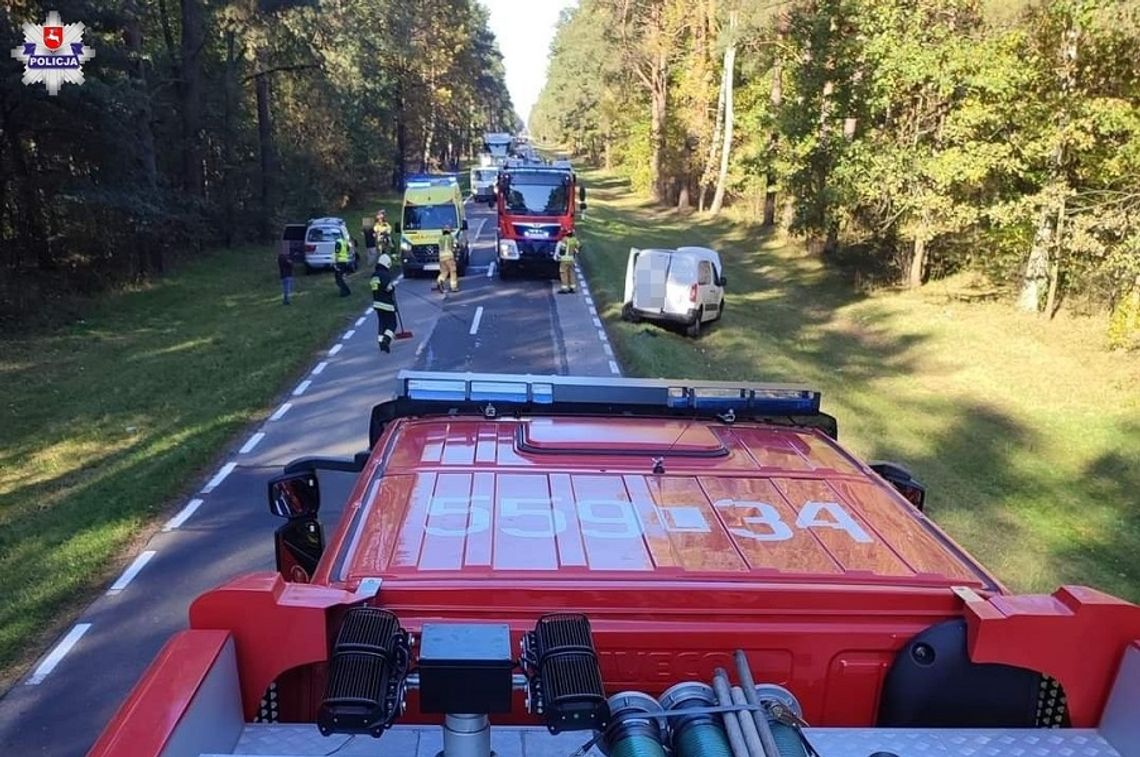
517, 327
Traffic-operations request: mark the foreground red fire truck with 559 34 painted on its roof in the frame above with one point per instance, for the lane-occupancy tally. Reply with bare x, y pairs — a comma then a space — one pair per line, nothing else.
628, 568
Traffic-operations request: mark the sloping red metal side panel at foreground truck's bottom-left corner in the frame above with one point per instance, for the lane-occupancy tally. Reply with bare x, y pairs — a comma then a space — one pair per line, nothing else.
146, 721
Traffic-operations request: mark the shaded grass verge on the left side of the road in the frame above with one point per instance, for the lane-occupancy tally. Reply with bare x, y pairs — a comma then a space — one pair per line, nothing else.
109, 422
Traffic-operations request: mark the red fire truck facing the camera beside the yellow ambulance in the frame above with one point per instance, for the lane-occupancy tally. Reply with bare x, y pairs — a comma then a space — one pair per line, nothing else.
536, 209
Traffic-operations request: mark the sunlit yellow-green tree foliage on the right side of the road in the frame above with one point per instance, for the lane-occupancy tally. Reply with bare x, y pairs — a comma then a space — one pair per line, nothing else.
915, 137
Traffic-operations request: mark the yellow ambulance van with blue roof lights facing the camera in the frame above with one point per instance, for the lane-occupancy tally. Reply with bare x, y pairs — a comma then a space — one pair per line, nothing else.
430, 202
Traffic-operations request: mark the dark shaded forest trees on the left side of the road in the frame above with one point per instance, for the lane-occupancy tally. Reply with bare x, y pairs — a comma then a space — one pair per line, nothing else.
199, 118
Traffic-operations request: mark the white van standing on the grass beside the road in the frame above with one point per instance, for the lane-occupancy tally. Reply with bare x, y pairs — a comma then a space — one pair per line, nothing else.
682, 287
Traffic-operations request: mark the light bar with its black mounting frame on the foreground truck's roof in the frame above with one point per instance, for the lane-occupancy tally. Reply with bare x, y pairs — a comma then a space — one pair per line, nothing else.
425, 394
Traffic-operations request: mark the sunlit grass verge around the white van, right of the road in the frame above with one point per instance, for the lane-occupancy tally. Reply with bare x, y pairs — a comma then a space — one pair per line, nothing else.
1027, 433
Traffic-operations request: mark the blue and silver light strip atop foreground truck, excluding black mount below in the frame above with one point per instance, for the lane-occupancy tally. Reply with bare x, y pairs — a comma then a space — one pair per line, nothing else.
677, 395
